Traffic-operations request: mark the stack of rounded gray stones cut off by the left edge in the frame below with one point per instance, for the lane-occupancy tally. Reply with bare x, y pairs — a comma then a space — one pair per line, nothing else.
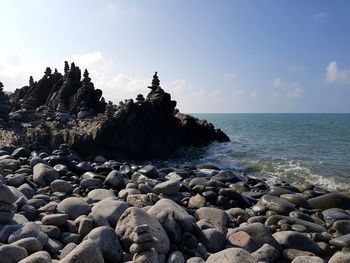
7, 208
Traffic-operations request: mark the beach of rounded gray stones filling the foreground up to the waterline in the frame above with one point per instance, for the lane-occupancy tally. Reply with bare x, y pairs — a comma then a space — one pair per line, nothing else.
57, 207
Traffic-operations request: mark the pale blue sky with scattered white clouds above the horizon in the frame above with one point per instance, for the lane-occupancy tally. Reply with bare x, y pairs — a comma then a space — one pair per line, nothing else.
211, 56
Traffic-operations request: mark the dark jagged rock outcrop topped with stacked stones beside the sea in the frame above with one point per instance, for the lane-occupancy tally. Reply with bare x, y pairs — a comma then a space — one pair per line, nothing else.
147, 128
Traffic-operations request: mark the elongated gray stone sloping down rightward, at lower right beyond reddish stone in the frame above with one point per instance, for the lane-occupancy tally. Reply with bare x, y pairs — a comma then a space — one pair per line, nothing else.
292, 239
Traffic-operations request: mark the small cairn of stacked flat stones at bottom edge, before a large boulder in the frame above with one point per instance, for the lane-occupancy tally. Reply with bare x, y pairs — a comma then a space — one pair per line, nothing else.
143, 248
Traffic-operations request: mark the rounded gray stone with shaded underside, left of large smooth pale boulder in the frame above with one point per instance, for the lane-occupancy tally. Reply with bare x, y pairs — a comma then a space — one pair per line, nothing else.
73, 207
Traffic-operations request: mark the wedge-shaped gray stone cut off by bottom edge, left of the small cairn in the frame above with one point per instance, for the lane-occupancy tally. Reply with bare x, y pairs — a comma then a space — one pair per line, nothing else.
86, 252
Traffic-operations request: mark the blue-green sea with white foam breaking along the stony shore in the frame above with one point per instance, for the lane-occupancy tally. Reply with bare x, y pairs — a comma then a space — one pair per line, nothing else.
294, 147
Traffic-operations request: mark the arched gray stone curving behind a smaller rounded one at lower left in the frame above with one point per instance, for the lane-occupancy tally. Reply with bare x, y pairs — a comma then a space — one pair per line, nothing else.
29, 229
